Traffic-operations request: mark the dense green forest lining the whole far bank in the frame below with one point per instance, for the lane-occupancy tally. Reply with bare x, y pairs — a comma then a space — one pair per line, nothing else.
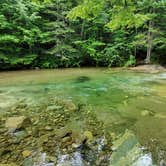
68, 33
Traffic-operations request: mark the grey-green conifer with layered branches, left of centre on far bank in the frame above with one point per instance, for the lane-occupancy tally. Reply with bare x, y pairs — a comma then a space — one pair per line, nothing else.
56, 47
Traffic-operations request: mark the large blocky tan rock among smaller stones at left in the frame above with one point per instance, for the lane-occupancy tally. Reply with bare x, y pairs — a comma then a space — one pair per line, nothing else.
17, 122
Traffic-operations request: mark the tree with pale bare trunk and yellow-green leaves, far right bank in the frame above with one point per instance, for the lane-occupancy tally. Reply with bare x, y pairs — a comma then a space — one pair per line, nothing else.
143, 16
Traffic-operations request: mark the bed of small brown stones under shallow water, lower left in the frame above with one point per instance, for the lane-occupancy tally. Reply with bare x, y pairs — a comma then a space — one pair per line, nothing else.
45, 134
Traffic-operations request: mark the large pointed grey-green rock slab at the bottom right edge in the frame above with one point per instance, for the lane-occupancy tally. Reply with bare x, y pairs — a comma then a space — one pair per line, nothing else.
127, 151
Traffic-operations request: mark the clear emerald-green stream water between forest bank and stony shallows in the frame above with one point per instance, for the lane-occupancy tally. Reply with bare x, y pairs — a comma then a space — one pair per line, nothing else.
121, 99
